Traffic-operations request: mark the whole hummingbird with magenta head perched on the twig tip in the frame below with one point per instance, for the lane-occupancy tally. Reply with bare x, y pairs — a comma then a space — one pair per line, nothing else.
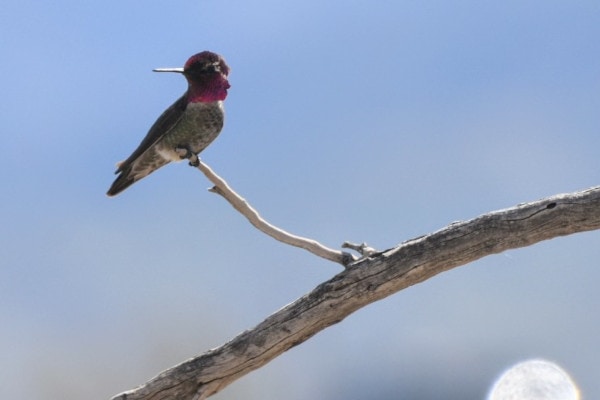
184, 129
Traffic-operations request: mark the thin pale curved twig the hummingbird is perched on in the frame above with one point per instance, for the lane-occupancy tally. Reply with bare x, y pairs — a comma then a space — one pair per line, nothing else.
239, 203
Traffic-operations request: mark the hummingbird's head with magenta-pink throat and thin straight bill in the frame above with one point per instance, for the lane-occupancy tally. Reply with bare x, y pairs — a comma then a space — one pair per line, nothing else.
206, 74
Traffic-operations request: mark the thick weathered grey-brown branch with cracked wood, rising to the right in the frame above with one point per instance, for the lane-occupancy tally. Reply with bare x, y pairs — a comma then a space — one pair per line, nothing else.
369, 280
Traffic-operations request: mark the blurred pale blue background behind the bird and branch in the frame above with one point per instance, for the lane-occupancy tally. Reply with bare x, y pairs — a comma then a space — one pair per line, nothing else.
346, 120
